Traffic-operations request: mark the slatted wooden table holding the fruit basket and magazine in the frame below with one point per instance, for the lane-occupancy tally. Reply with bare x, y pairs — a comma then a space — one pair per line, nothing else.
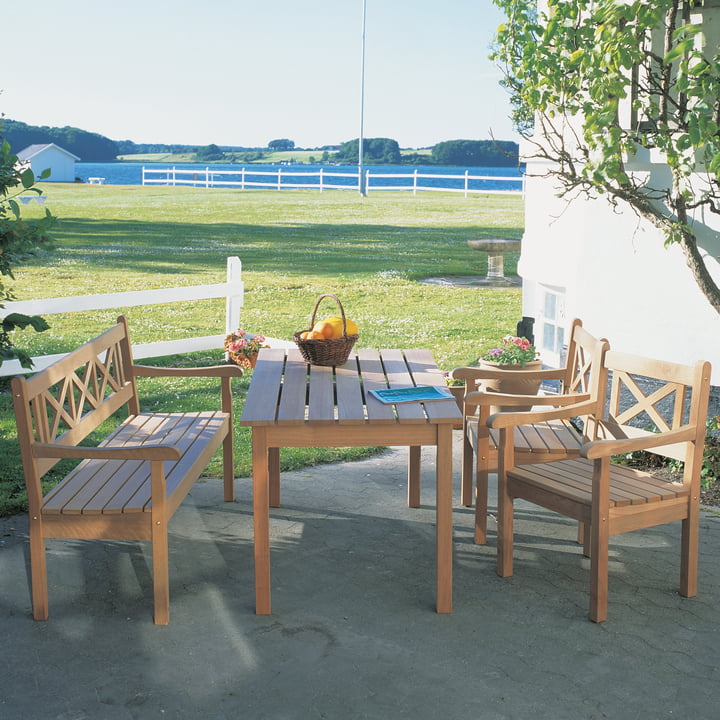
293, 404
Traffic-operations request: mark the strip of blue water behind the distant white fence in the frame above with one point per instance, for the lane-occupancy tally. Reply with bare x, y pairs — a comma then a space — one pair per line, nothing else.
123, 173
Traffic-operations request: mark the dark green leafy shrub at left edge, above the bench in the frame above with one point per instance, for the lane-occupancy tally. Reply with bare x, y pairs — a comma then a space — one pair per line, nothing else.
19, 240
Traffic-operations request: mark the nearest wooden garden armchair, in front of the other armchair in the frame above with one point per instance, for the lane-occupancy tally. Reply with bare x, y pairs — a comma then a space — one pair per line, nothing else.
607, 498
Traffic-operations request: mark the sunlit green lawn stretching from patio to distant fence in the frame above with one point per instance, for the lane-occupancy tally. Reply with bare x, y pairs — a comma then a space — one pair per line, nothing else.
294, 245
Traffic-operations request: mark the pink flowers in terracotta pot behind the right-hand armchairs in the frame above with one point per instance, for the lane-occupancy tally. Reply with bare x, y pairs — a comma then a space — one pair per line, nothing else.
515, 354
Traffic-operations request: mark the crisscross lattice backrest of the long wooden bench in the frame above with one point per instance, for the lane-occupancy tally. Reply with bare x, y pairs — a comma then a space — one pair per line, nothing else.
68, 400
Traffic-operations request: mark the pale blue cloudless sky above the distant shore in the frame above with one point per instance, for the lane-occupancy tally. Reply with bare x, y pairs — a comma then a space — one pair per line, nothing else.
244, 72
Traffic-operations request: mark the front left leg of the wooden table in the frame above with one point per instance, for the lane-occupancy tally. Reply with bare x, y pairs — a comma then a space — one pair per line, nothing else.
261, 520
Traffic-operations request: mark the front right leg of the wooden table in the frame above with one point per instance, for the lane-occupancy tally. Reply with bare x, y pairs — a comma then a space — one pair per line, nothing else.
443, 470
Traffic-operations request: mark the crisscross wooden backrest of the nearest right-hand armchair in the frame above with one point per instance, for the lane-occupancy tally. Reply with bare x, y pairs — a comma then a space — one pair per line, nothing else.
648, 396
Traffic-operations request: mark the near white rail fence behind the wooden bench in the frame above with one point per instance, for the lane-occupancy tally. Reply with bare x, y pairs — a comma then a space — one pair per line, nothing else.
232, 290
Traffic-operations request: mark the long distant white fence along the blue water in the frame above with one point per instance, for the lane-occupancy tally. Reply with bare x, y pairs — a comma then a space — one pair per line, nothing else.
283, 179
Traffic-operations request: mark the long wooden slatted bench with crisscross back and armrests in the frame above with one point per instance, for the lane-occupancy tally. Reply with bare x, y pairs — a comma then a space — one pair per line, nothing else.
131, 483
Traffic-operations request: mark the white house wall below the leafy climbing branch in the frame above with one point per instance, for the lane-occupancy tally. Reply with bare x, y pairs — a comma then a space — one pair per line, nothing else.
618, 277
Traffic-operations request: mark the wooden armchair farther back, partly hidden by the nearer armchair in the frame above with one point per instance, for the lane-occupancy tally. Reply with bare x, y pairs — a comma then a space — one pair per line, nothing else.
549, 432
